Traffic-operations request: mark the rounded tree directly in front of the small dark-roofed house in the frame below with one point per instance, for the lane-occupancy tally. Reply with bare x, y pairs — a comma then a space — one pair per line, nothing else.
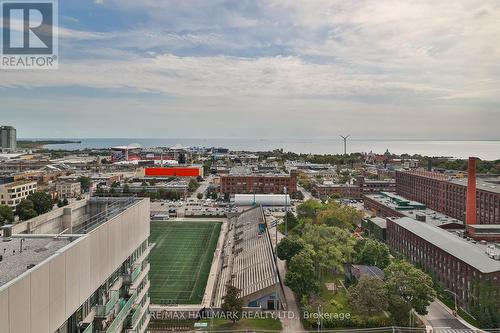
369, 295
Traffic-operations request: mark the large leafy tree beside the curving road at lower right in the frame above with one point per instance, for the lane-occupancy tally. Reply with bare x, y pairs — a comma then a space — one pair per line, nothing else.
407, 288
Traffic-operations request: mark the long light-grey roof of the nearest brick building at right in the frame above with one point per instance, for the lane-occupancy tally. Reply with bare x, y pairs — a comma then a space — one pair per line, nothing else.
470, 253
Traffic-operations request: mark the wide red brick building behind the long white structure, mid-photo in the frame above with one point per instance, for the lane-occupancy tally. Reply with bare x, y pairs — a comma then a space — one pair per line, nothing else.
258, 183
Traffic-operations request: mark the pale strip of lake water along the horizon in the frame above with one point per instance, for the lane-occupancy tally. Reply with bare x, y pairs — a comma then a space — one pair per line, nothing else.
488, 150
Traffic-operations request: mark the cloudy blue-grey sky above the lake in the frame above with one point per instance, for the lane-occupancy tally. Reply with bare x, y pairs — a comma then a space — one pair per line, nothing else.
265, 69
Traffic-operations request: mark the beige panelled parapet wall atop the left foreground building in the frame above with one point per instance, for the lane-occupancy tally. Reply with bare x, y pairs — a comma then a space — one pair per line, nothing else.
41, 300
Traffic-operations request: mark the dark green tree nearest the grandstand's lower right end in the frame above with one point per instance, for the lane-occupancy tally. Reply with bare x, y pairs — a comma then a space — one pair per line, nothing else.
300, 275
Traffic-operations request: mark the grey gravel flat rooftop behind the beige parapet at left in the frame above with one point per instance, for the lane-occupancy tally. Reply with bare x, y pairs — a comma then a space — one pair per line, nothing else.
34, 251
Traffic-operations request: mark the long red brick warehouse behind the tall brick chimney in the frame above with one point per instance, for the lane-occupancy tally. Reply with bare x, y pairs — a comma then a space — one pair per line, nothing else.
448, 195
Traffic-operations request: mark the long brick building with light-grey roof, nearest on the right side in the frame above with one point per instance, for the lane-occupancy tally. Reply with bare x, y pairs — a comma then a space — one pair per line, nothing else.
458, 263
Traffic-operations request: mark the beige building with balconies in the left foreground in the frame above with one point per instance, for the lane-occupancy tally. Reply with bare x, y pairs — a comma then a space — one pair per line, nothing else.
81, 268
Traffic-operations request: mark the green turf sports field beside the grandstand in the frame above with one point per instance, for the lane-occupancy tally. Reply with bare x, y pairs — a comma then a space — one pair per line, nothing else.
181, 260
